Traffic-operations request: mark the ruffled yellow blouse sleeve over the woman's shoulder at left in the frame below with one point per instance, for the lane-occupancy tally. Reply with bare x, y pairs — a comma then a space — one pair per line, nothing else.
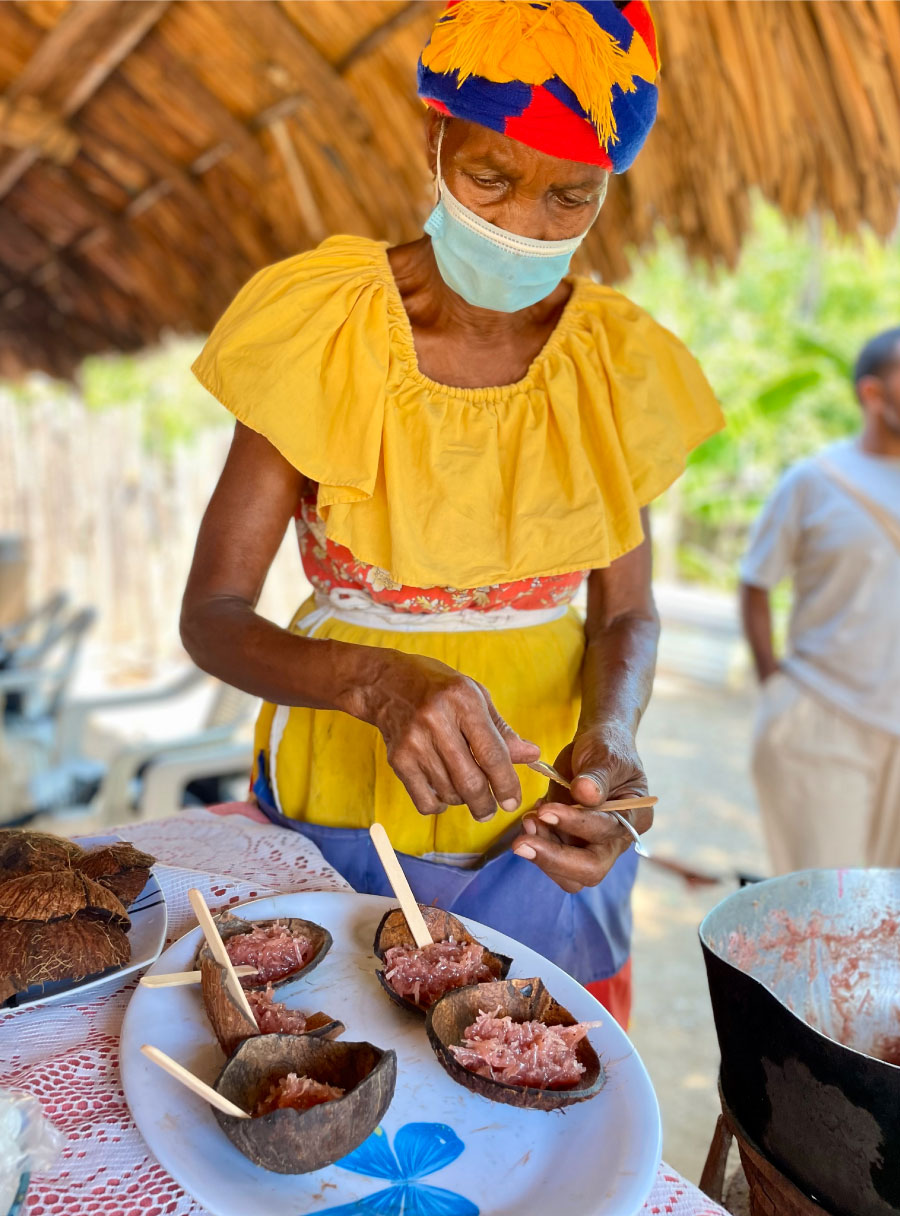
301, 357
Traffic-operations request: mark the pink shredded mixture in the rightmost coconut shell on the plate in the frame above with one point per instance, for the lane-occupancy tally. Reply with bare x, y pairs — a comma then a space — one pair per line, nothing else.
522, 1052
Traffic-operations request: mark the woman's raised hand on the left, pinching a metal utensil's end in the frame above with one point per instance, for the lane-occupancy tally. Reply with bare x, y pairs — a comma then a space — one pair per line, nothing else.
446, 740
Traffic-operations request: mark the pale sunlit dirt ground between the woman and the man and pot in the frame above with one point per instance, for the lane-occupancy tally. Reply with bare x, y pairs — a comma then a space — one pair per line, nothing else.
695, 744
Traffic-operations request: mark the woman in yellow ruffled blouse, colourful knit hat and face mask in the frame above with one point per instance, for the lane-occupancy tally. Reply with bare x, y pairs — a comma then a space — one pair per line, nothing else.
463, 432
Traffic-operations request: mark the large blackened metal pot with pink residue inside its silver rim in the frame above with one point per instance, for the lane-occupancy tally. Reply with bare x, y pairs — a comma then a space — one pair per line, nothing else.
805, 977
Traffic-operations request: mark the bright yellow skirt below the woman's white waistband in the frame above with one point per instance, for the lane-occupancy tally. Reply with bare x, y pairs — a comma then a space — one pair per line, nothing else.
333, 770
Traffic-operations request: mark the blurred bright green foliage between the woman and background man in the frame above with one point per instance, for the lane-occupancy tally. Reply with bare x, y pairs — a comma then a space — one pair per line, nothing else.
778, 340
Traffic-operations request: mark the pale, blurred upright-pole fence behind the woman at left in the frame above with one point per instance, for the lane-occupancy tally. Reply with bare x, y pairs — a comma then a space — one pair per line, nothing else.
114, 525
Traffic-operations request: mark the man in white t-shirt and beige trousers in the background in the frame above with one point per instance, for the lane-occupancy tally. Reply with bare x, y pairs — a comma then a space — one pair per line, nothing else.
826, 755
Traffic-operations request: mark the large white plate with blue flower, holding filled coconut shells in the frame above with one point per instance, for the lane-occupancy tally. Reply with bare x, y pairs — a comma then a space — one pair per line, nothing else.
441, 1151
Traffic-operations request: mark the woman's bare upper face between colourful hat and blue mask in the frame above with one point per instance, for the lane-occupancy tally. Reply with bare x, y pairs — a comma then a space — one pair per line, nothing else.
513, 185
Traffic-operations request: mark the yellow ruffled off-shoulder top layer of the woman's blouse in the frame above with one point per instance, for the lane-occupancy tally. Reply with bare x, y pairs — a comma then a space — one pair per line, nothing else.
458, 487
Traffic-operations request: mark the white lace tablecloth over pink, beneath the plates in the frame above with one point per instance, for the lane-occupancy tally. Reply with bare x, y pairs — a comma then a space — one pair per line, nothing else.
67, 1055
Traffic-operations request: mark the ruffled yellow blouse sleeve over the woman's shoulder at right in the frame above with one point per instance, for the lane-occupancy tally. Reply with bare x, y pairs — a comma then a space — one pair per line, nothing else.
662, 404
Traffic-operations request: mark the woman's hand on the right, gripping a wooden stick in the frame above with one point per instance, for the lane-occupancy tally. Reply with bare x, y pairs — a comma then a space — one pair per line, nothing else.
577, 846
